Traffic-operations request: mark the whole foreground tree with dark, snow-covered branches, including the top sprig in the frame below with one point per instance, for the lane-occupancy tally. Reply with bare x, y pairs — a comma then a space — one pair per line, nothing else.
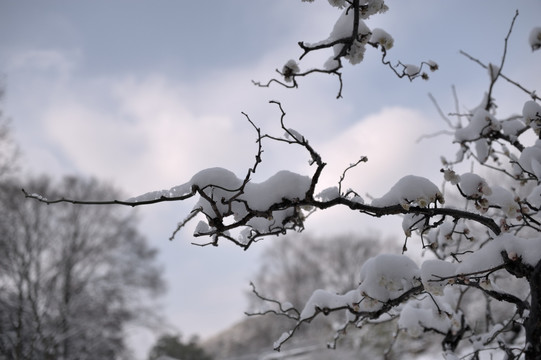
431, 298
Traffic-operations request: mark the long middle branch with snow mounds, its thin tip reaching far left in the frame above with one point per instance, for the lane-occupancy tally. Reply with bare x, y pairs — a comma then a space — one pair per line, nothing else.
231, 204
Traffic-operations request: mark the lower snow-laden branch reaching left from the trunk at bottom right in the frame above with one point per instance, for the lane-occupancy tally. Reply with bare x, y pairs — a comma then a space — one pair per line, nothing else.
393, 286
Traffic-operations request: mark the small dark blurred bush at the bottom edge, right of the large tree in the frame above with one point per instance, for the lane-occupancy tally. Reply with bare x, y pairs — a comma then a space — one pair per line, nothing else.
171, 347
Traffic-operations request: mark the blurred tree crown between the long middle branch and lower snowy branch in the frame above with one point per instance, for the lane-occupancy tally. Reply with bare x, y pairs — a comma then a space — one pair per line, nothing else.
294, 266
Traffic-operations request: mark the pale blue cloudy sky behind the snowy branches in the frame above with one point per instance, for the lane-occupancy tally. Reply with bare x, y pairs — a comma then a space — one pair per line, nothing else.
143, 94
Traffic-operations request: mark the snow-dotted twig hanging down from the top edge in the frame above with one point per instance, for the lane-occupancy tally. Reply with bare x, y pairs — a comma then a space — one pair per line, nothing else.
348, 40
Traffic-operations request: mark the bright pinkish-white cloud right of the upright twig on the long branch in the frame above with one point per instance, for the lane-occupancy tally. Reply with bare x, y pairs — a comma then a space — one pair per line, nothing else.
389, 140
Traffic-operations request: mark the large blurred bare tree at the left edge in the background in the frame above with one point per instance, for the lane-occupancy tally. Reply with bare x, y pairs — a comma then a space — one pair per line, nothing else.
72, 277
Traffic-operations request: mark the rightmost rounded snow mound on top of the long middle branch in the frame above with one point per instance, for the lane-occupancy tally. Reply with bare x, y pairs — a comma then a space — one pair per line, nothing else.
411, 190
